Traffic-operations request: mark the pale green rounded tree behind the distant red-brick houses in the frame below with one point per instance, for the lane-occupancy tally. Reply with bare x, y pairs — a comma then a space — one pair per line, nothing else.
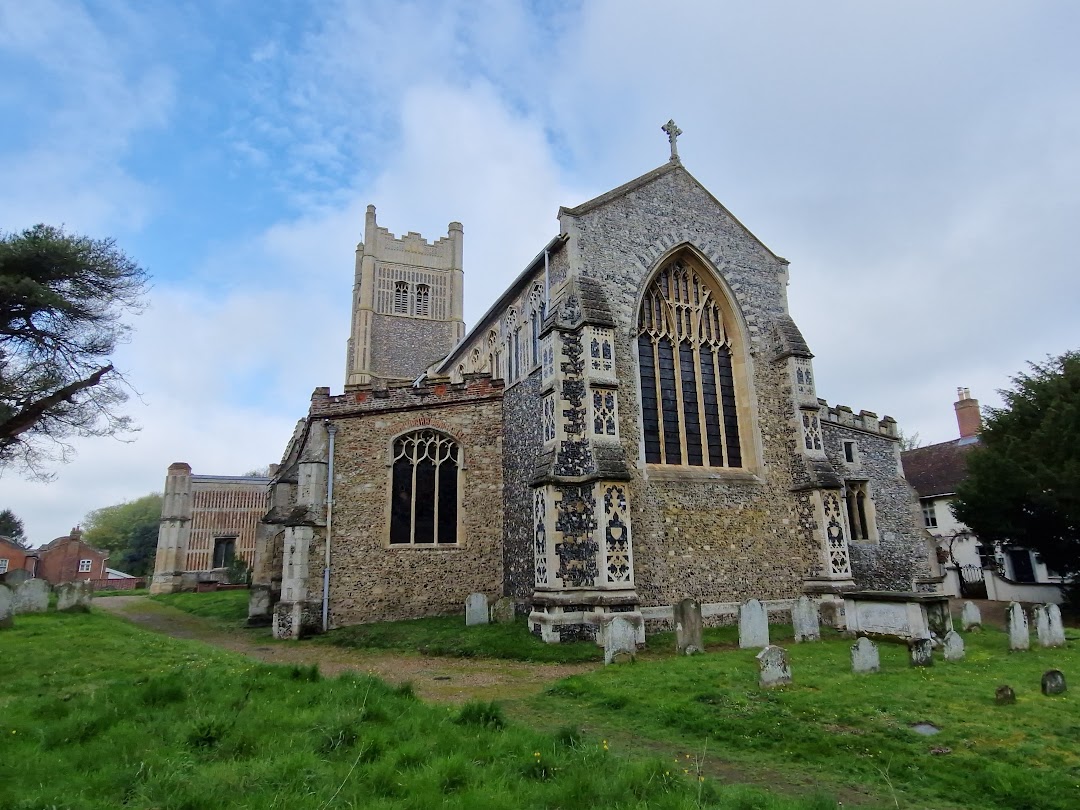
129, 531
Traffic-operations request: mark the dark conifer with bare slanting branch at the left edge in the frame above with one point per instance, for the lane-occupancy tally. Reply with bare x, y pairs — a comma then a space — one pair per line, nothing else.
63, 301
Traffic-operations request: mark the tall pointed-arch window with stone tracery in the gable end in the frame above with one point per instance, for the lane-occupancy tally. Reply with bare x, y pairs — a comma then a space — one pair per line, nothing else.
688, 397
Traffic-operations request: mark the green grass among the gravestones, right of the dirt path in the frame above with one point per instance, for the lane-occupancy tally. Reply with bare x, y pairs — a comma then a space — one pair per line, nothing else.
855, 731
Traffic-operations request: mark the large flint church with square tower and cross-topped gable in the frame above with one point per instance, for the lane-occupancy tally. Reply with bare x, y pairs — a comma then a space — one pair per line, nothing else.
633, 422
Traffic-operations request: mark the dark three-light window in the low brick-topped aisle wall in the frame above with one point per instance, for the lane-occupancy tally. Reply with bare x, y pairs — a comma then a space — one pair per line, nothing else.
425, 490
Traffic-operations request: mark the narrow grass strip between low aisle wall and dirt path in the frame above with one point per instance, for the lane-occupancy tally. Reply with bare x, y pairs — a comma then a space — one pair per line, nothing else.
450, 637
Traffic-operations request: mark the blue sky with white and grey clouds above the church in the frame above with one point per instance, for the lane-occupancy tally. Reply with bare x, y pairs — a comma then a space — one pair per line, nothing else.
917, 163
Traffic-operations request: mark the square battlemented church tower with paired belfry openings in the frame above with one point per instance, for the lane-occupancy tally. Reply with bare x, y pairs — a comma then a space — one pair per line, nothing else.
407, 304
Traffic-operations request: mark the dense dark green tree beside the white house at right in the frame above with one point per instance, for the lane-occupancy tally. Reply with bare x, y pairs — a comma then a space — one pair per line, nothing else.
1023, 484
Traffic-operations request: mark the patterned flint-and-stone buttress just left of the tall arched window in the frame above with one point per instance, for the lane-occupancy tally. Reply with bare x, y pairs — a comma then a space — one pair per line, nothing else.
584, 550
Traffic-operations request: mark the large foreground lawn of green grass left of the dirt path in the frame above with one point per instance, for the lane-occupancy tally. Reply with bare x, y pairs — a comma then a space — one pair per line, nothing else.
98, 713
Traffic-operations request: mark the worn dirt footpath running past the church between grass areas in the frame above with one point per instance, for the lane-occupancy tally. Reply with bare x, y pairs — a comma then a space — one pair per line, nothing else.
443, 680
